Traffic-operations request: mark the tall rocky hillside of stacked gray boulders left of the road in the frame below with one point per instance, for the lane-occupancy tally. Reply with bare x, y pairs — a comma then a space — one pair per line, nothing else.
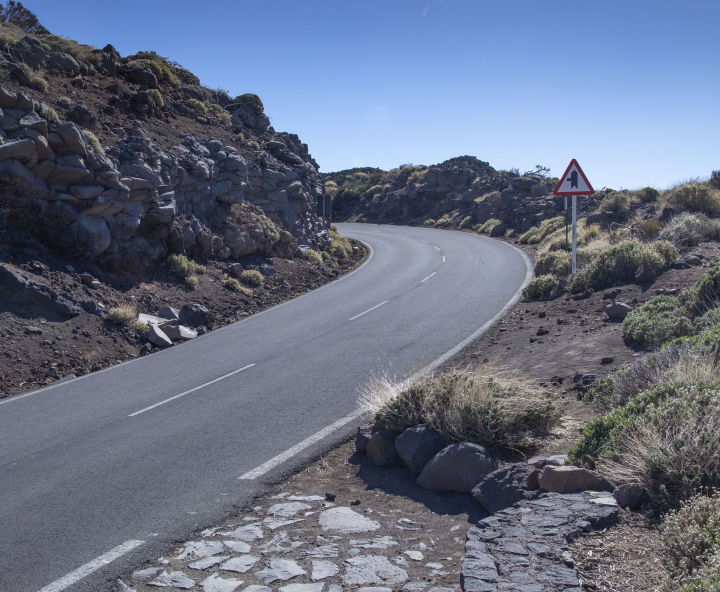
127, 159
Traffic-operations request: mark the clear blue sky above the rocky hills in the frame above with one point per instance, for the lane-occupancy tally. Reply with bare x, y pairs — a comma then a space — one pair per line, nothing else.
630, 88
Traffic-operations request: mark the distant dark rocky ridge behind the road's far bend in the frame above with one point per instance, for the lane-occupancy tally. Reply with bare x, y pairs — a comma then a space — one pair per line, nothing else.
459, 192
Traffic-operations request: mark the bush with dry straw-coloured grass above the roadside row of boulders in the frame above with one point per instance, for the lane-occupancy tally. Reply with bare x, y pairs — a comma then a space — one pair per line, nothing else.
489, 407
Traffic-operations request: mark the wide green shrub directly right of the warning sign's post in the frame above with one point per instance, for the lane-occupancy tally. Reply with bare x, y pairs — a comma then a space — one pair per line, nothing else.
617, 265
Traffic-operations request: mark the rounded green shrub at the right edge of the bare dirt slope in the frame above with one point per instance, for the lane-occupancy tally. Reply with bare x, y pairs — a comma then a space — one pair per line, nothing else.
657, 321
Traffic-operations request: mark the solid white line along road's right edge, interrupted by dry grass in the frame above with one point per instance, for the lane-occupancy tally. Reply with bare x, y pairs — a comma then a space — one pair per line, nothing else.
290, 452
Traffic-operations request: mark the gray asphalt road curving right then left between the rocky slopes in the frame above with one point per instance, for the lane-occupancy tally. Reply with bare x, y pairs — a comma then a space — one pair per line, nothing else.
97, 465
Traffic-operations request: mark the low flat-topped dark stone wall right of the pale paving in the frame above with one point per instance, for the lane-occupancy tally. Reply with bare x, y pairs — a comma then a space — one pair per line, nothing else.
525, 548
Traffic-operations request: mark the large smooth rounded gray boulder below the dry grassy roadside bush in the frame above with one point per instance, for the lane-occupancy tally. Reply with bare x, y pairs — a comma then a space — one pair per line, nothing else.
458, 467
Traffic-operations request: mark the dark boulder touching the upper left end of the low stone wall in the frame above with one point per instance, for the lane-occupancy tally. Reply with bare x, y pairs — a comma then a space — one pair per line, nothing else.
502, 488
